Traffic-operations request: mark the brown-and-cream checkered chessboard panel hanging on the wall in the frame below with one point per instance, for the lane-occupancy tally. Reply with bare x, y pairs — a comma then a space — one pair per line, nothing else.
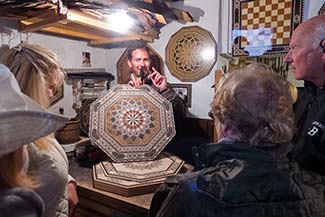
264, 27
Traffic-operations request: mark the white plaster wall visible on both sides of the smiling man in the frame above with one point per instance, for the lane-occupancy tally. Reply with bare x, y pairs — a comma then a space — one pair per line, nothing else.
70, 53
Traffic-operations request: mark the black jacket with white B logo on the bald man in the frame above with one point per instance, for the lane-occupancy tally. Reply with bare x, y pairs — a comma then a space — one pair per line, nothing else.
309, 141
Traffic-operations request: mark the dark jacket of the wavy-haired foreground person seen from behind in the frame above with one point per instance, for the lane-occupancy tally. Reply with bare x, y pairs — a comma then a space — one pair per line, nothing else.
241, 181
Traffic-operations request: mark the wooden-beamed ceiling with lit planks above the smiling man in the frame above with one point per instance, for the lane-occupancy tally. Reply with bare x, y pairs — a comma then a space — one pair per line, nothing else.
92, 20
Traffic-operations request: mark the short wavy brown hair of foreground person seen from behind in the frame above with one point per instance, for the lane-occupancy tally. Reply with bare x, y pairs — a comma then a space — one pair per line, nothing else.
256, 104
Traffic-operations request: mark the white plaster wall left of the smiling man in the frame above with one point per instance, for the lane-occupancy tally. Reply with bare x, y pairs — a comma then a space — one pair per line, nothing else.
70, 53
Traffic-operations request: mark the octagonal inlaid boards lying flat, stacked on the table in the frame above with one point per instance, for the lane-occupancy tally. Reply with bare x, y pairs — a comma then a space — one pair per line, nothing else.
135, 177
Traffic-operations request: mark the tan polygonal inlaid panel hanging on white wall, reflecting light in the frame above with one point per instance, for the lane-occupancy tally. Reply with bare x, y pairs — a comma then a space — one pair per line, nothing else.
191, 53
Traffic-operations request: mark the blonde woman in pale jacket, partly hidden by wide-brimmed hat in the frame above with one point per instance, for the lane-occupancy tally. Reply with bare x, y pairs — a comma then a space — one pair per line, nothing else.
38, 73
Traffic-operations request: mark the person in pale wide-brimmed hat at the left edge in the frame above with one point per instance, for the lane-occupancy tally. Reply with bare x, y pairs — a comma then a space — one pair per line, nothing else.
17, 114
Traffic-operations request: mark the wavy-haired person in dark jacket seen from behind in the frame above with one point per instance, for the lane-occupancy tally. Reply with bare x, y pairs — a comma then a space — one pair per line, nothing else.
247, 172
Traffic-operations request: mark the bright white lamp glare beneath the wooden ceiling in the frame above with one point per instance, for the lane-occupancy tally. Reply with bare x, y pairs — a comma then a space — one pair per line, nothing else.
120, 21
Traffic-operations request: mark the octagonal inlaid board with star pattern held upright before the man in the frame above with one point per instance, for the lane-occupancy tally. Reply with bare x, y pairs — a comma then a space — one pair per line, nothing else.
131, 124
